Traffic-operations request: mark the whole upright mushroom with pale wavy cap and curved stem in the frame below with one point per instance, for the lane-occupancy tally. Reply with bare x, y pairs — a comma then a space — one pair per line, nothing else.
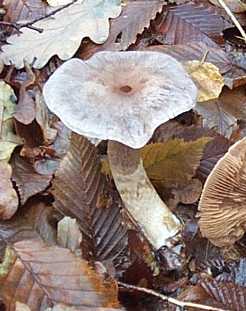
124, 97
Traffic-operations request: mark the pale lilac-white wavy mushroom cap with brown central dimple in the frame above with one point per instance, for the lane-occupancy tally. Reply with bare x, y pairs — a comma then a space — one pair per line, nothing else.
121, 96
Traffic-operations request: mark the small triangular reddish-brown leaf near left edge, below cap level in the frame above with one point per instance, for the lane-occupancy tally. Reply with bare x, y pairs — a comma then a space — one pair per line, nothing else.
27, 180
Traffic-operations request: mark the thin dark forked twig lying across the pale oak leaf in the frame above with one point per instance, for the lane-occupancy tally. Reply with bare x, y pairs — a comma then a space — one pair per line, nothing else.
18, 26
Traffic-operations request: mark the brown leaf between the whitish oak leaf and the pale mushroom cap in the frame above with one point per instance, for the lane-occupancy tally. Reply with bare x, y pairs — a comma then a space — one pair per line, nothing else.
135, 16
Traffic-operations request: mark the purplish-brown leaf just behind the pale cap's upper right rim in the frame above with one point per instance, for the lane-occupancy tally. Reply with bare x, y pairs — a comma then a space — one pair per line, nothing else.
196, 51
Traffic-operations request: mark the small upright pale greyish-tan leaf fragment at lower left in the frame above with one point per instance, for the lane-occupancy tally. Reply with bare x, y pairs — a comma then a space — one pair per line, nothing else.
68, 233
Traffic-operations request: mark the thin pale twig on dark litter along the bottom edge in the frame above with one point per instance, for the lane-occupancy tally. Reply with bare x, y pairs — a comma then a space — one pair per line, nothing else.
174, 301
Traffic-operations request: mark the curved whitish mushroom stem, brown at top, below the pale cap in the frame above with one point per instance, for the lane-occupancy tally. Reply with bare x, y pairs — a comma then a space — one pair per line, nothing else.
141, 200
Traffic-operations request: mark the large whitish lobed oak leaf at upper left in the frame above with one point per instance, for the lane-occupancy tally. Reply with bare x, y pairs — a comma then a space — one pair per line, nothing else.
62, 34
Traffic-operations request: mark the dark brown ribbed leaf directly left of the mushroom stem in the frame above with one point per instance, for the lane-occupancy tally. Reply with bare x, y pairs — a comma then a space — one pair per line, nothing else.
80, 192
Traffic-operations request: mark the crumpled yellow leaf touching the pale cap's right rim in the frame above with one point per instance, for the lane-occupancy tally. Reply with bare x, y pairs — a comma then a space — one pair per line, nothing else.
207, 78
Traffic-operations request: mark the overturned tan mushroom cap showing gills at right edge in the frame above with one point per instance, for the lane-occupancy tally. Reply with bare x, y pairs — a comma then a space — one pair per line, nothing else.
223, 201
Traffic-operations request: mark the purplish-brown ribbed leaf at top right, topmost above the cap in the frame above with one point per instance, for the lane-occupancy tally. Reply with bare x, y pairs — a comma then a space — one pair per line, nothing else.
191, 22
